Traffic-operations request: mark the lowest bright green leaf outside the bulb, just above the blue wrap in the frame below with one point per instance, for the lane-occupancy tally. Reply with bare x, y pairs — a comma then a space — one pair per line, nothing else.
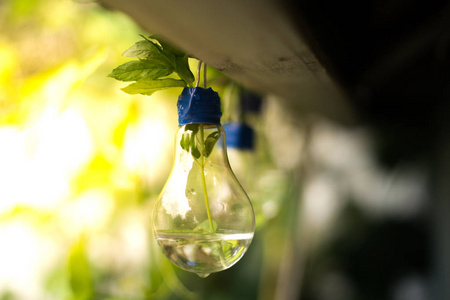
148, 87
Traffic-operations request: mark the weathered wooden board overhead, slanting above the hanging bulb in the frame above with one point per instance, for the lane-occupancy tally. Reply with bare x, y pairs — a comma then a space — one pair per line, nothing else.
253, 42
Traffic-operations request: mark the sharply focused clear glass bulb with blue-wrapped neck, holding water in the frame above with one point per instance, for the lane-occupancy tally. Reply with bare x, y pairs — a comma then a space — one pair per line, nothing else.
203, 220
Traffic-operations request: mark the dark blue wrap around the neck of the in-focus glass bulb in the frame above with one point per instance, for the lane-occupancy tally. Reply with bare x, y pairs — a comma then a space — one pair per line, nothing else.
198, 105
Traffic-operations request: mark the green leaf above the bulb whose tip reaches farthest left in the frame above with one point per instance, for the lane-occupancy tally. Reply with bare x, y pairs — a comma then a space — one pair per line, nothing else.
141, 69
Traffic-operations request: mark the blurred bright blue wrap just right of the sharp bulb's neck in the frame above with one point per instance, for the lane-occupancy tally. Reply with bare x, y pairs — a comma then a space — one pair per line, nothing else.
239, 135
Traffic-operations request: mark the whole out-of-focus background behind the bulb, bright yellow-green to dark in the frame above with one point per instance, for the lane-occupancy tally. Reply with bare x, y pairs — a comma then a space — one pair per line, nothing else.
82, 163
